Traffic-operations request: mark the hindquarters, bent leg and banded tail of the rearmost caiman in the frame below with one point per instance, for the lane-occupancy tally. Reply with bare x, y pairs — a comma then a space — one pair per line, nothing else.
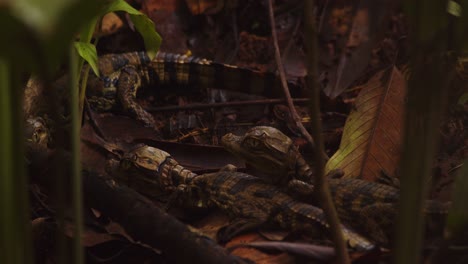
122, 75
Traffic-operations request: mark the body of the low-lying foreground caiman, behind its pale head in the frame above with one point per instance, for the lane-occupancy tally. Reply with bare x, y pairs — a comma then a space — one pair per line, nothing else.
253, 202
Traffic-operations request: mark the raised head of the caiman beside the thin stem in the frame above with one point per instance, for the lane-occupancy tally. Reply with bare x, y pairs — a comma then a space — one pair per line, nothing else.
266, 149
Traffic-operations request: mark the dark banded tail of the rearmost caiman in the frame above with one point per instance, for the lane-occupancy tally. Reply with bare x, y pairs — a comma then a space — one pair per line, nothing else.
177, 69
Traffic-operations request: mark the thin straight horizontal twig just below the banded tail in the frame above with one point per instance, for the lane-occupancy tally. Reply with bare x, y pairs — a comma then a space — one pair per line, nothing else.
226, 104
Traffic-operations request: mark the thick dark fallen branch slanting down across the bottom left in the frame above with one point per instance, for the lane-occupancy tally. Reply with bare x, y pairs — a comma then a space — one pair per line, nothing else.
140, 218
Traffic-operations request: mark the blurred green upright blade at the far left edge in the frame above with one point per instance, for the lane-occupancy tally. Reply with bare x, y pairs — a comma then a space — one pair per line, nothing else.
15, 235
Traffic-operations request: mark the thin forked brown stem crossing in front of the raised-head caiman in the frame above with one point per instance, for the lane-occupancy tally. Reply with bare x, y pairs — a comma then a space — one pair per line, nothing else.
321, 185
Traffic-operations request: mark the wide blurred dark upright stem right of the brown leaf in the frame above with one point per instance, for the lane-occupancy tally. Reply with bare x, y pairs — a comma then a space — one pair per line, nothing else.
425, 105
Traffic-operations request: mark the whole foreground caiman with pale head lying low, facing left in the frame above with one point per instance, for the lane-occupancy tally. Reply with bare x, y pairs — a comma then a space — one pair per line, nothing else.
248, 199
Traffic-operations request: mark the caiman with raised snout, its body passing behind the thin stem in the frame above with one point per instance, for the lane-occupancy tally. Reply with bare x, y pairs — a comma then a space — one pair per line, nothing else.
367, 206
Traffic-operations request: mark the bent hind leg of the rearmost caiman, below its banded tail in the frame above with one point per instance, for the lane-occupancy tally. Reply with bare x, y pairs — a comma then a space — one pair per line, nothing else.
129, 82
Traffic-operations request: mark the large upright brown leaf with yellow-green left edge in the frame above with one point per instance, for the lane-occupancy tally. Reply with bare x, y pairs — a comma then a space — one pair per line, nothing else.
371, 138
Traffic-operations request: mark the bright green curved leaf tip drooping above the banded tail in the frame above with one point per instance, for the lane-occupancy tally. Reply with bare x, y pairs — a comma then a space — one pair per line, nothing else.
142, 23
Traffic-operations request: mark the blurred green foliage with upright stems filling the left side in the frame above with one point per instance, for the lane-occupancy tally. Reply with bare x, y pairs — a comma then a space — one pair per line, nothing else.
38, 37
